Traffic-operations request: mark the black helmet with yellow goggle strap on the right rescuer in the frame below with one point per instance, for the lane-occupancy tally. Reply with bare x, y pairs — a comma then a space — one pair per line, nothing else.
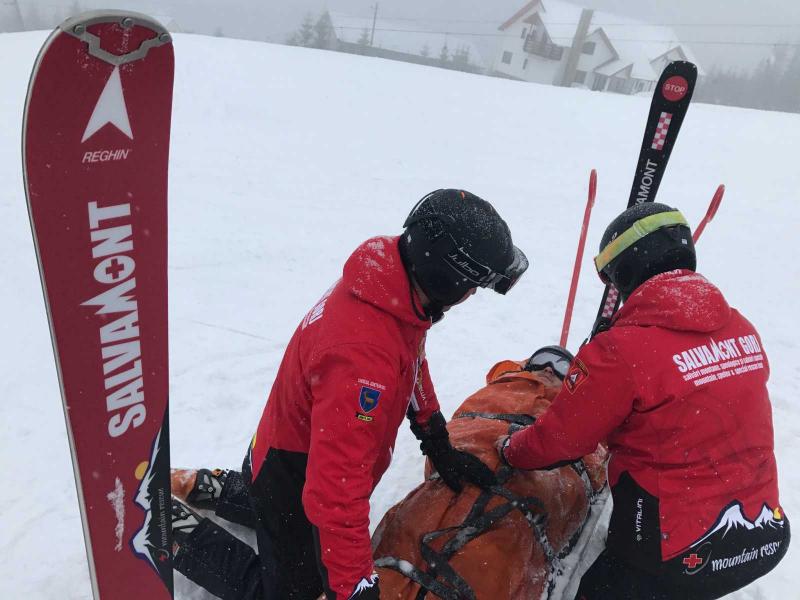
645, 240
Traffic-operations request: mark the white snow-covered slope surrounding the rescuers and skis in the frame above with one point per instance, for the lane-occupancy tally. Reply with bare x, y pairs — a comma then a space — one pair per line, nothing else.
283, 160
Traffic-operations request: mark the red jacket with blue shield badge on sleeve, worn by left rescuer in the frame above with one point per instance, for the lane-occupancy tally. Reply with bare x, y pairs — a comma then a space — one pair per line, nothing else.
350, 372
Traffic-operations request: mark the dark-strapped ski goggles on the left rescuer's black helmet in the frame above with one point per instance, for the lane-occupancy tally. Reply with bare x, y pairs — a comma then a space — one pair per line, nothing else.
470, 268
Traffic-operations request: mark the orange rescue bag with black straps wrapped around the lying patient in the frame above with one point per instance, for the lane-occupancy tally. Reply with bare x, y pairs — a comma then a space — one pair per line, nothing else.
488, 545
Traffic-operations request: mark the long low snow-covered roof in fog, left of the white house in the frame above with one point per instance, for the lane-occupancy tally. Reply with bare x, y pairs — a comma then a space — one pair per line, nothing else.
398, 36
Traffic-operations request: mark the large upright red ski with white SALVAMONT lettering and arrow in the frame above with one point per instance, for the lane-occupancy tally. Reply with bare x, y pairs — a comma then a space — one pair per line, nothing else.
95, 151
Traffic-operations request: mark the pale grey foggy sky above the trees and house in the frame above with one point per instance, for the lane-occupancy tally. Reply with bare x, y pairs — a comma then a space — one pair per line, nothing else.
731, 33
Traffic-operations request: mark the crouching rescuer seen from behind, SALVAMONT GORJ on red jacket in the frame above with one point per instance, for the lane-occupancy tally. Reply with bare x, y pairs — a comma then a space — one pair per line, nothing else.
677, 387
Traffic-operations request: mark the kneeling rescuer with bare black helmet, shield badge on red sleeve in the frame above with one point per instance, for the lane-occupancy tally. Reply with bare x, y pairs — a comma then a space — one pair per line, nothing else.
354, 368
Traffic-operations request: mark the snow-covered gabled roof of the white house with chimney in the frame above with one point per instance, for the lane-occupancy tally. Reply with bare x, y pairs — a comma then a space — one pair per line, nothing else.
636, 43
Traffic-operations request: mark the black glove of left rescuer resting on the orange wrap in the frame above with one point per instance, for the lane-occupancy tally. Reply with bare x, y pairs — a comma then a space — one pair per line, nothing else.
451, 464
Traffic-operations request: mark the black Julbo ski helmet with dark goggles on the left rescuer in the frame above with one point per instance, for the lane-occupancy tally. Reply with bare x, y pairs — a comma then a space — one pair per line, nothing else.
455, 241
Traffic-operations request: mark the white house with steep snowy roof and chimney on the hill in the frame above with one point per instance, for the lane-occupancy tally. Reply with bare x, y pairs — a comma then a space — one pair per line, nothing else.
560, 43
